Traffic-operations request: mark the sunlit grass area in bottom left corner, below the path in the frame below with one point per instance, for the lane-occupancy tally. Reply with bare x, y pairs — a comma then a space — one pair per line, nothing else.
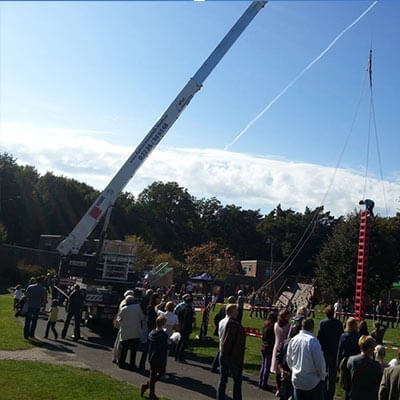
28, 380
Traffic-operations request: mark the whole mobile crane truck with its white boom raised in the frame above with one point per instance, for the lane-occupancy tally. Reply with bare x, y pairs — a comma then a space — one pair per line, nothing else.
76, 262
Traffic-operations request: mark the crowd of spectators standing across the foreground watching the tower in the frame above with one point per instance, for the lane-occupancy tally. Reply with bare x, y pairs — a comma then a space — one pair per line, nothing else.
305, 359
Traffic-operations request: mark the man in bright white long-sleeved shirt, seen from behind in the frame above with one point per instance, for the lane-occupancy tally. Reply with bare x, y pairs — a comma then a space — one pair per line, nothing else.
306, 360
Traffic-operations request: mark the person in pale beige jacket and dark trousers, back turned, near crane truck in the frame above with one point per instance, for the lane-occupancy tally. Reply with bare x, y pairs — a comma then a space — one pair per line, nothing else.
130, 321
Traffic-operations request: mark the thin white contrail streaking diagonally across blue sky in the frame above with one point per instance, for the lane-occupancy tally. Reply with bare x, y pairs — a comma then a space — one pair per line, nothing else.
269, 105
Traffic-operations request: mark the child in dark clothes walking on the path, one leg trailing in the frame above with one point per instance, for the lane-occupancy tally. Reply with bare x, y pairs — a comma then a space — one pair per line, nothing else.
158, 348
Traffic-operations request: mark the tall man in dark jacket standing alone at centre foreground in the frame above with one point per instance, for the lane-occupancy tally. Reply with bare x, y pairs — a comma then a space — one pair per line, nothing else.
232, 345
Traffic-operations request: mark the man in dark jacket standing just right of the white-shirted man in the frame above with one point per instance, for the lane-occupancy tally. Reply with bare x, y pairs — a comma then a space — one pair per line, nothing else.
329, 332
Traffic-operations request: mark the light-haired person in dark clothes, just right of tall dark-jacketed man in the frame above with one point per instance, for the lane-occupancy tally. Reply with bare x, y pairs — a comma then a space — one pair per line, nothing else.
348, 346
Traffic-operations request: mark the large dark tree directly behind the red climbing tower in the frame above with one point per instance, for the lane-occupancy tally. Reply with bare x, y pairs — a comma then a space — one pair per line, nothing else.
337, 261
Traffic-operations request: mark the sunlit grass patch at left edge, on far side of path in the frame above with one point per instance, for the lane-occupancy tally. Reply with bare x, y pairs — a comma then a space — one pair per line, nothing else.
11, 329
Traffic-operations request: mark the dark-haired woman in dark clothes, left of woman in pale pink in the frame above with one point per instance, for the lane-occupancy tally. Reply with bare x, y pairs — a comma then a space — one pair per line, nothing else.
268, 342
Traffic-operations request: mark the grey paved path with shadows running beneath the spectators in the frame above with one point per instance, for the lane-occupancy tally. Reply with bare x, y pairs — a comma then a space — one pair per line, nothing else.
192, 381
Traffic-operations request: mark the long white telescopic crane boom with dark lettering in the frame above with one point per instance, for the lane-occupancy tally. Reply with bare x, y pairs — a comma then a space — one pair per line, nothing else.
85, 226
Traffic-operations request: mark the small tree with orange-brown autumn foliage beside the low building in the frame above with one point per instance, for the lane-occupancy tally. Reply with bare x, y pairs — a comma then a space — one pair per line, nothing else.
210, 258
